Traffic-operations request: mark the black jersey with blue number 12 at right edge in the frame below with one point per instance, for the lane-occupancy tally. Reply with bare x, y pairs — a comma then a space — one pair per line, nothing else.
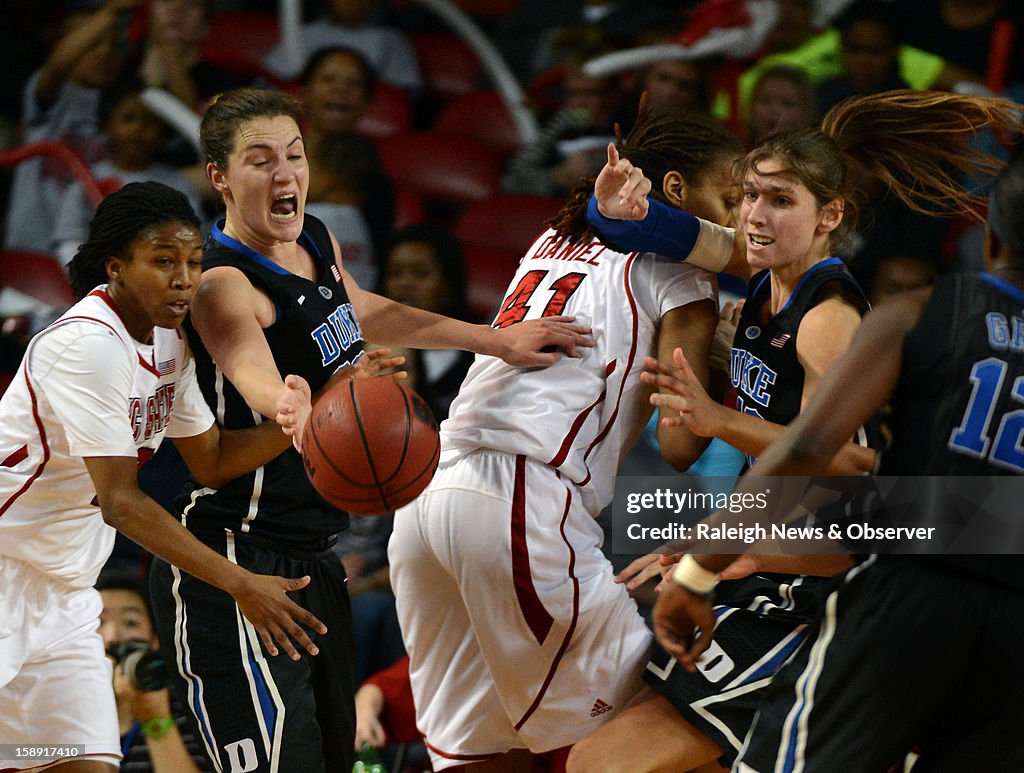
958, 408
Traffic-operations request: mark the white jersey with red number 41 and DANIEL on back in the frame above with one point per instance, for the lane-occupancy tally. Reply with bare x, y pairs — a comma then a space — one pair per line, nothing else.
581, 414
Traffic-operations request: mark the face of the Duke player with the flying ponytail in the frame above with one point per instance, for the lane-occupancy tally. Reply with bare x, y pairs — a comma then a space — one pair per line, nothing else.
781, 219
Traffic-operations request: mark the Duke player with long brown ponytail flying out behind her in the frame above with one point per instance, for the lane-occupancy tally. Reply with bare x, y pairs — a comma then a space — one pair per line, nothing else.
800, 314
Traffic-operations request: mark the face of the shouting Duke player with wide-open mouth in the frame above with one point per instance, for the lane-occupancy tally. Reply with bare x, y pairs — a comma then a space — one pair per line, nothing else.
266, 183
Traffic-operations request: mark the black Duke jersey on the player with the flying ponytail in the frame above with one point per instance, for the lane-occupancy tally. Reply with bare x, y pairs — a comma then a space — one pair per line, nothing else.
764, 369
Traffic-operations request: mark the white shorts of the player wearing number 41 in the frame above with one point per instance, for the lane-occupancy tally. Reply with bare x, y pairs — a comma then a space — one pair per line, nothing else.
518, 634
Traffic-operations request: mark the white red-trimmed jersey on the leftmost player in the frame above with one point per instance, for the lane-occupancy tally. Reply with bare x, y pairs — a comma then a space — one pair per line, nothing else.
86, 389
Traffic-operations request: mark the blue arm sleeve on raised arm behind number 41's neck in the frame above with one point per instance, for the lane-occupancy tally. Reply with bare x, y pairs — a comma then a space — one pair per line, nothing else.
667, 232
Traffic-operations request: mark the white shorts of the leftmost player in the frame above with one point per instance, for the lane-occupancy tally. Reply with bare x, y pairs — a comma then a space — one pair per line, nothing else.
56, 680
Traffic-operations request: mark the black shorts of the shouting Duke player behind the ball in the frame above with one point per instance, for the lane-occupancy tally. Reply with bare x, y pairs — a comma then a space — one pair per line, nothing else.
254, 712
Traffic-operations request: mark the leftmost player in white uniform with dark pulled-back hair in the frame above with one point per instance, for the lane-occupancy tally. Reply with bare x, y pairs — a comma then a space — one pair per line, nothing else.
94, 398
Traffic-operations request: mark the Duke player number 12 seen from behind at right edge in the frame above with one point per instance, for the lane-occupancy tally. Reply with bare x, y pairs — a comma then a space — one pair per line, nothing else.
911, 650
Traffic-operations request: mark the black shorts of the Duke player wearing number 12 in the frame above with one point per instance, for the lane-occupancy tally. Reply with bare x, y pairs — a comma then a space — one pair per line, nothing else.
910, 654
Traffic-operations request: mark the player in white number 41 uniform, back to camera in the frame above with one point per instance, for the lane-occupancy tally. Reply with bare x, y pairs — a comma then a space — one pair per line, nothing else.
520, 640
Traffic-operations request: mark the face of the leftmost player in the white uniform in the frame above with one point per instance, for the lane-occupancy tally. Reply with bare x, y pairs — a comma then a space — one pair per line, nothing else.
155, 287
